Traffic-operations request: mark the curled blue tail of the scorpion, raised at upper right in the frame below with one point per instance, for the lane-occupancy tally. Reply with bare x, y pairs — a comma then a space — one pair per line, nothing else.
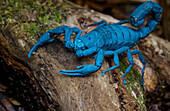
137, 18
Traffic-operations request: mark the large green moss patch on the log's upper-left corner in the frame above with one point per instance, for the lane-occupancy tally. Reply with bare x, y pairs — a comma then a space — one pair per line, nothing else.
48, 16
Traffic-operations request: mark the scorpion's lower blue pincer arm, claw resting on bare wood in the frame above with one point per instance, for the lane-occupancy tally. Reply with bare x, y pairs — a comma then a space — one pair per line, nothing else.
86, 69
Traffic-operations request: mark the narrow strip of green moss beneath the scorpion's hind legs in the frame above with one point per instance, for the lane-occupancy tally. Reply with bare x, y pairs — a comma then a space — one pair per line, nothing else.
133, 83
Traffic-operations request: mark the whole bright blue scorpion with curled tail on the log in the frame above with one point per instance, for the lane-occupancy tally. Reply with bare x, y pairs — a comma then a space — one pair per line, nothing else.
106, 39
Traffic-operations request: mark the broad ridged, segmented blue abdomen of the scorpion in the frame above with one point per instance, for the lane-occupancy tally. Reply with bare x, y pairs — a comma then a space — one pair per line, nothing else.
116, 36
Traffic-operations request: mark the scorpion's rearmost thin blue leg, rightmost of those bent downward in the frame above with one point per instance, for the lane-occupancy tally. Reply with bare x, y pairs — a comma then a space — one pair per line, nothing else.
142, 60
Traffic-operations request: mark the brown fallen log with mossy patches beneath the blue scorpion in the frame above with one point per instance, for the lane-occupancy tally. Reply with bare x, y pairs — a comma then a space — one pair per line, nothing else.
91, 92
